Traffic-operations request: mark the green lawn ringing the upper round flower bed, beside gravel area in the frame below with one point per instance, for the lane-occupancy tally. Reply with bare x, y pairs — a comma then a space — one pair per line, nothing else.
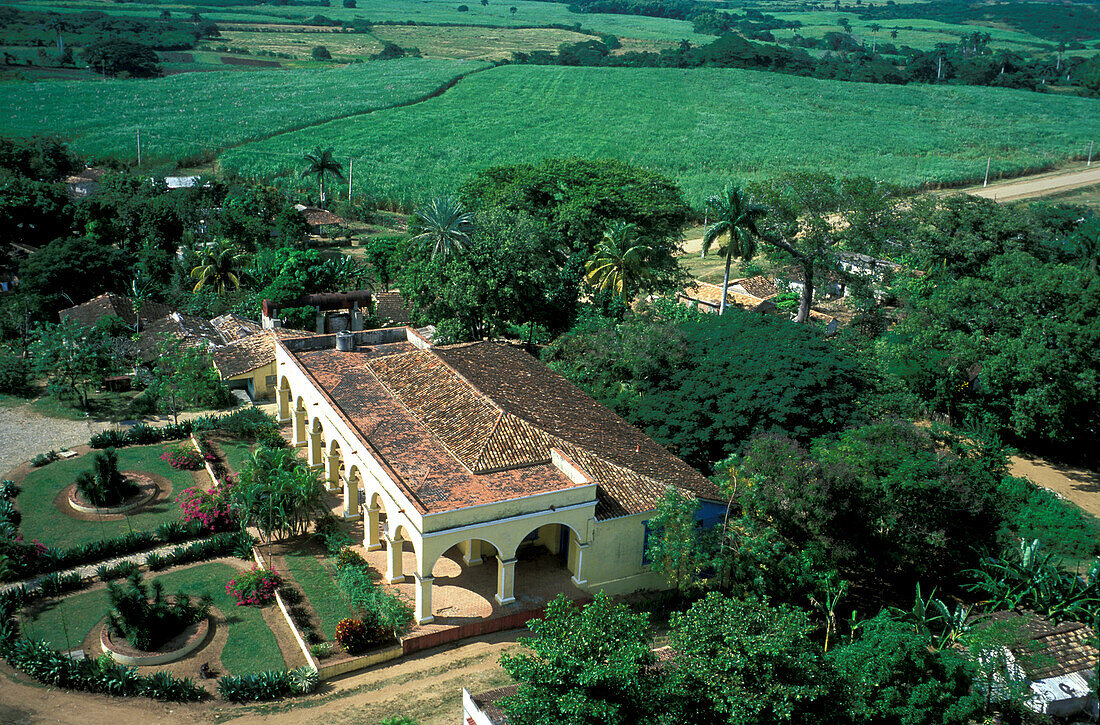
45, 523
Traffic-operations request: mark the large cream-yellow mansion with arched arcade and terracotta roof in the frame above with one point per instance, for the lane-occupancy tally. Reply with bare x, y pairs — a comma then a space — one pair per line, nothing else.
481, 453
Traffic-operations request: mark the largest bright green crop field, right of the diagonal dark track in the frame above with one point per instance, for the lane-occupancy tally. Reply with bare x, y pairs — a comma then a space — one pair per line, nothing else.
701, 127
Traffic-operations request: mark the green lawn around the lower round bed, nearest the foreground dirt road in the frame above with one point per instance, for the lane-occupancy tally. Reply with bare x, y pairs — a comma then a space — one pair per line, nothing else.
251, 646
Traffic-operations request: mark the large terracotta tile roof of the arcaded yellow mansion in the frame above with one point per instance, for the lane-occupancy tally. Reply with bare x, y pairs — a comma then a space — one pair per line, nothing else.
475, 424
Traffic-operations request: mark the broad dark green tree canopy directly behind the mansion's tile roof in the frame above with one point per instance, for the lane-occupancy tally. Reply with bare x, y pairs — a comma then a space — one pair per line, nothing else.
705, 387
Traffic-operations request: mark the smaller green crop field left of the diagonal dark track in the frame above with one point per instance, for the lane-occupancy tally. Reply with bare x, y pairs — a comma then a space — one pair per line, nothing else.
191, 117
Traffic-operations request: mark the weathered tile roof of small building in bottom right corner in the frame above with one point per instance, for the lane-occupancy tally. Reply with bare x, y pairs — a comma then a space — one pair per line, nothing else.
1059, 650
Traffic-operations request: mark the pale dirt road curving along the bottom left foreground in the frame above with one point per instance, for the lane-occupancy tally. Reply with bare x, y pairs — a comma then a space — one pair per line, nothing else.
427, 687
